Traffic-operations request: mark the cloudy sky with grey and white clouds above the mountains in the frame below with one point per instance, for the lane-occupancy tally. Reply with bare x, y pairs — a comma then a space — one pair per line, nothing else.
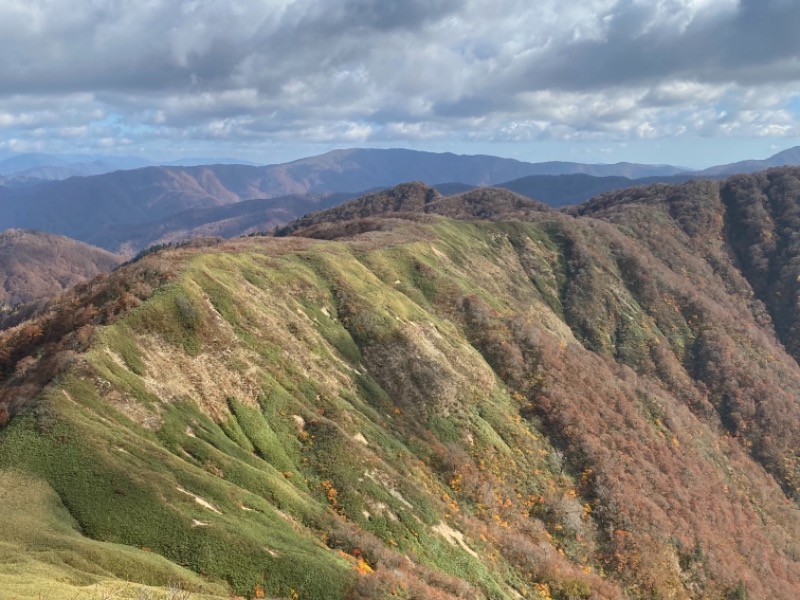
687, 82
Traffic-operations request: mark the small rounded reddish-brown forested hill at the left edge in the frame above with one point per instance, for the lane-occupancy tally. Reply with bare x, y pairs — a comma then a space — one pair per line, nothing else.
36, 266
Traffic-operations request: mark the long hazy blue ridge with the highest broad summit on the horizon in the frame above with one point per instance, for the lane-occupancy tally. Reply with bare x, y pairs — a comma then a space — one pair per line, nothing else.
81, 207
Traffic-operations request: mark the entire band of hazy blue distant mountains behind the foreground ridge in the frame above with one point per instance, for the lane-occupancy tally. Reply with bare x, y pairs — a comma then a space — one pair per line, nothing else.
125, 210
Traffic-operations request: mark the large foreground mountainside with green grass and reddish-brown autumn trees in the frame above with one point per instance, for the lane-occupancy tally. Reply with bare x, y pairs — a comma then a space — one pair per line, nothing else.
440, 397
